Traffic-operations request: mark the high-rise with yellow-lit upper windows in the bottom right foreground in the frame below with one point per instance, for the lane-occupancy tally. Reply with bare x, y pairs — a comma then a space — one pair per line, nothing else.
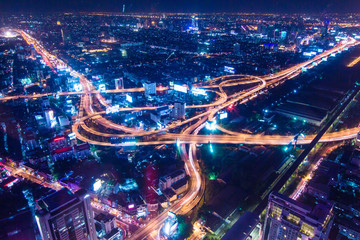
292, 220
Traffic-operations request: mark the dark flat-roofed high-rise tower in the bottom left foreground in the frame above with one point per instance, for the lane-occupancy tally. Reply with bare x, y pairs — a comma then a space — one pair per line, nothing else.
64, 215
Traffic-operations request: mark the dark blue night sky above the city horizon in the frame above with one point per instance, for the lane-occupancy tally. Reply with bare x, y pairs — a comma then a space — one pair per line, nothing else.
277, 6
